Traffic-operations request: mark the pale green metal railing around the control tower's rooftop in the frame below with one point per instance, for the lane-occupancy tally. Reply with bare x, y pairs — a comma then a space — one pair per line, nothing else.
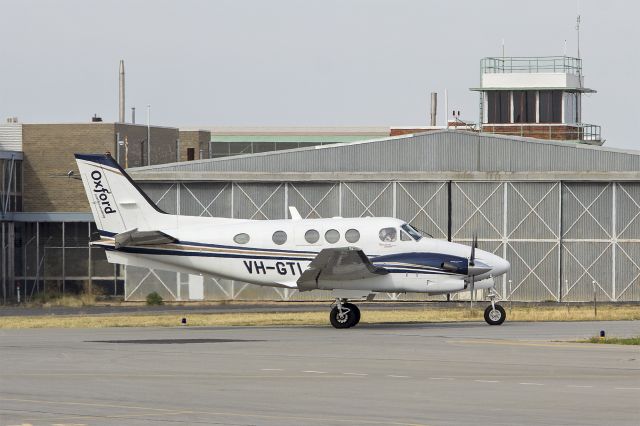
523, 64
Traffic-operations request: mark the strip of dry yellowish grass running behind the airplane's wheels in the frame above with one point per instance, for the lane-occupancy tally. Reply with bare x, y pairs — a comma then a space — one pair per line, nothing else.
560, 313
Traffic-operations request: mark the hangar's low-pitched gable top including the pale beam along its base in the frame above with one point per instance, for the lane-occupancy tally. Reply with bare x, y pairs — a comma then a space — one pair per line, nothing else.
436, 155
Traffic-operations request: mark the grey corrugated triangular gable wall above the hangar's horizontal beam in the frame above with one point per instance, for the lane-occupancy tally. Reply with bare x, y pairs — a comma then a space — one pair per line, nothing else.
436, 151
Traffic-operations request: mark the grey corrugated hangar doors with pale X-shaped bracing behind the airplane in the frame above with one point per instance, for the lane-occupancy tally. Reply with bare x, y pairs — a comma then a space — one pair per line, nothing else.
559, 237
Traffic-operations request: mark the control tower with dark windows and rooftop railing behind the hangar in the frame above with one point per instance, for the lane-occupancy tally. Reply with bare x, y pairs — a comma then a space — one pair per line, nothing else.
538, 97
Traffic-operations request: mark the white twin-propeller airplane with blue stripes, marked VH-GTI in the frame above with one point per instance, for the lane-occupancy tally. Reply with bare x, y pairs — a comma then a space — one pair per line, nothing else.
355, 258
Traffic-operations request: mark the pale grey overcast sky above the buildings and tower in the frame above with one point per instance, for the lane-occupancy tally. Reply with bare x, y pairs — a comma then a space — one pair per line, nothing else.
301, 63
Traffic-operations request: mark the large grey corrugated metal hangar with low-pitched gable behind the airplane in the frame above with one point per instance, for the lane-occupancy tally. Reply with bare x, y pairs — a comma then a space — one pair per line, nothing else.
565, 215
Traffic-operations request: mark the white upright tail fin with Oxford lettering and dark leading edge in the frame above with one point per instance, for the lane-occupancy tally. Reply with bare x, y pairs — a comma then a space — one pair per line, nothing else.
117, 203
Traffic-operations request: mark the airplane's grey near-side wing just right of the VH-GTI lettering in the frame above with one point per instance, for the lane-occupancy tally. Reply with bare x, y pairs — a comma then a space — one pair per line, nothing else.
338, 264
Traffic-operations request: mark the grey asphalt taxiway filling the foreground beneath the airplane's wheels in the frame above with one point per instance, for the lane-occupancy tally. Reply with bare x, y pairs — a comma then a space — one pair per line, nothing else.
450, 373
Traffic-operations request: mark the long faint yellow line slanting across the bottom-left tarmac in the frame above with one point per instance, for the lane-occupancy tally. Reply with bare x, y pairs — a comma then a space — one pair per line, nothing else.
211, 413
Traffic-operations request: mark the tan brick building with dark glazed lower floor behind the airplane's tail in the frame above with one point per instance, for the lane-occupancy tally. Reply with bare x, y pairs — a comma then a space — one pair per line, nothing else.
46, 221
